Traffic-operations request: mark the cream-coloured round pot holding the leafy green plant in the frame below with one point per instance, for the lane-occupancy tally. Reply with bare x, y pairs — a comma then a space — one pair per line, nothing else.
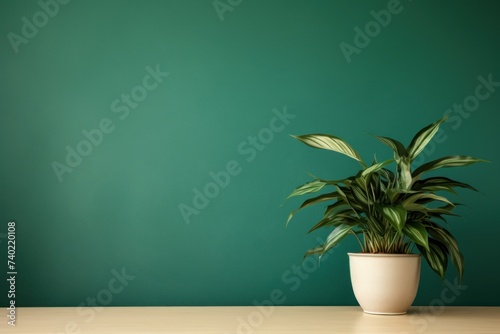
384, 283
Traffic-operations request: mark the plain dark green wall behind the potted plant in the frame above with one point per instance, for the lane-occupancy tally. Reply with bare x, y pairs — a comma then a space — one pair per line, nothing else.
176, 94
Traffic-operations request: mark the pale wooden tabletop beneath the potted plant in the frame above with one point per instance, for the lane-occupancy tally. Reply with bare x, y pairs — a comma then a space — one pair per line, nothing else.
250, 320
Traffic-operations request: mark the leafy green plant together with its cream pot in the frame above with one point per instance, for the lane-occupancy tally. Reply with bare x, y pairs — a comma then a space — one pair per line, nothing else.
392, 214
